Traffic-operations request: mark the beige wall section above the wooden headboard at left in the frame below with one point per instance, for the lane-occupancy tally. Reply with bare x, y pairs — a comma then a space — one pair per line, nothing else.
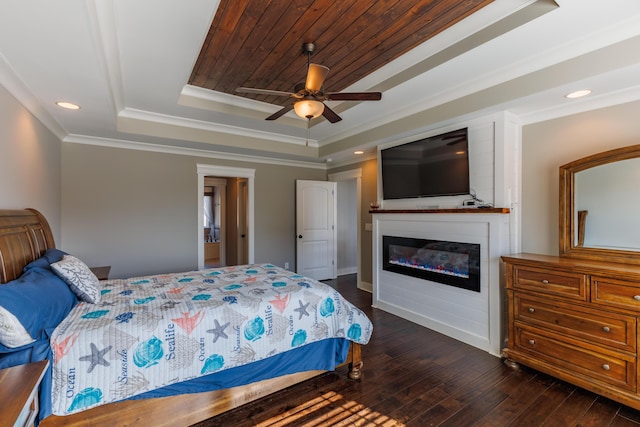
29, 163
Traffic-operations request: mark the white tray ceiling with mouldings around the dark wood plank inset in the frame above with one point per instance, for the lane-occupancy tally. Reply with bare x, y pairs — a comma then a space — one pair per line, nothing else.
126, 62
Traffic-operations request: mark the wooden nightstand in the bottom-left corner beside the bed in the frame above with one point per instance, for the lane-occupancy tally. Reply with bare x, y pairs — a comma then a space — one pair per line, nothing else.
19, 393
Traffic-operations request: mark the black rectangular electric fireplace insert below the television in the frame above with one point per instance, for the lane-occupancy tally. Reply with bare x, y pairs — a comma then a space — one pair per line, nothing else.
451, 263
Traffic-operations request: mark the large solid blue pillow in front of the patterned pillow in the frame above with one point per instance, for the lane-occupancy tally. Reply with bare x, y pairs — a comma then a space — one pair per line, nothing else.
38, 299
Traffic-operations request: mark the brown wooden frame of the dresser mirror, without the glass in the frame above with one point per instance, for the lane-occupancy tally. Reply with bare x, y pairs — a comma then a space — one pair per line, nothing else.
567, 226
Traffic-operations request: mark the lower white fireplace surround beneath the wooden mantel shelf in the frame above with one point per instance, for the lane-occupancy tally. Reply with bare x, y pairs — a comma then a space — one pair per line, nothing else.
469, 316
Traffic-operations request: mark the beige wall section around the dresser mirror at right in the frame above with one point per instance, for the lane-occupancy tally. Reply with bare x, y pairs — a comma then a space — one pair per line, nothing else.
548, 145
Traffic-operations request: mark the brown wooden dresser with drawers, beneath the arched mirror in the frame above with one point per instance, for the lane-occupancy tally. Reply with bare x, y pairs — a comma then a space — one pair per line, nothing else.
576, 320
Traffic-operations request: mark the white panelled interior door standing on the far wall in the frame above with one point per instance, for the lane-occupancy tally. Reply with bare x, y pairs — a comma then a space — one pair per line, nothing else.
315, 229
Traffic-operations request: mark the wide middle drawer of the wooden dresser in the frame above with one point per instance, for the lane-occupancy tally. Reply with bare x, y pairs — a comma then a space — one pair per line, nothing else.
598, 326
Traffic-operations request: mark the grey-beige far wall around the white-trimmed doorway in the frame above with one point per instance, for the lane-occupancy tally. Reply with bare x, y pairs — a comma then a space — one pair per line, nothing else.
137, 211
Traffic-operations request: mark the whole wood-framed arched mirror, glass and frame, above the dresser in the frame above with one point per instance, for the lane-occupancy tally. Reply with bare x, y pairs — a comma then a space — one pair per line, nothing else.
599, 210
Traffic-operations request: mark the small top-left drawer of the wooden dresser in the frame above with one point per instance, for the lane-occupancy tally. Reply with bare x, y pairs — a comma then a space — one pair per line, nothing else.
569, 285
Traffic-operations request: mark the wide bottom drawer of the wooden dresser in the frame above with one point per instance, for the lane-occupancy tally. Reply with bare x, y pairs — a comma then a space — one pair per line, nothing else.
617, 369
